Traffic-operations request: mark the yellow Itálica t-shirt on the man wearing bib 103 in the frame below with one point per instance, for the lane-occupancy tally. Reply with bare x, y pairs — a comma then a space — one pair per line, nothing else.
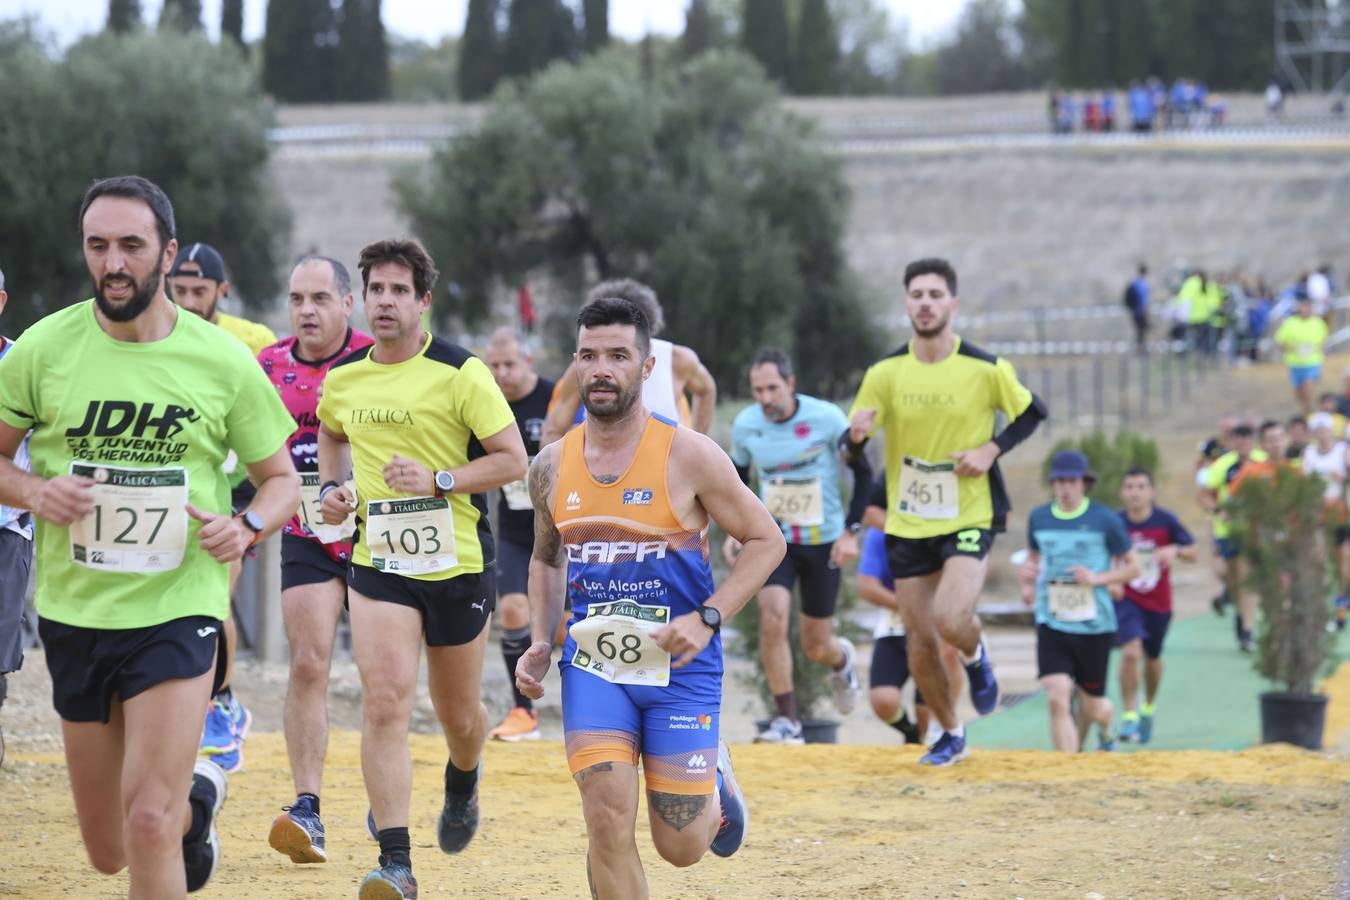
435, 408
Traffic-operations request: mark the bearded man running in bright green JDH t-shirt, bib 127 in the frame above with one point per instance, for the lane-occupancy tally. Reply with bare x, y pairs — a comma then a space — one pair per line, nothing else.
133, 407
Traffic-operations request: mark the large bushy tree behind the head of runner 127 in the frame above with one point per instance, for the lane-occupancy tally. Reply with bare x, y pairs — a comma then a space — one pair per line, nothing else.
125, 96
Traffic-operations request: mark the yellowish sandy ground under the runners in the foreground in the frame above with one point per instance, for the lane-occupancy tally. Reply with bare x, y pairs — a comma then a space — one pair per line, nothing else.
827, 821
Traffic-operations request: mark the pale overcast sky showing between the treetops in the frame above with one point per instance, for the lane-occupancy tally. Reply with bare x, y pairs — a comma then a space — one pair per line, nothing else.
431, 21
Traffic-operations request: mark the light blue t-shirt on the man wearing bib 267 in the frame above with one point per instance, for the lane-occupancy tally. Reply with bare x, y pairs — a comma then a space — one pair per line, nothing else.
799, 468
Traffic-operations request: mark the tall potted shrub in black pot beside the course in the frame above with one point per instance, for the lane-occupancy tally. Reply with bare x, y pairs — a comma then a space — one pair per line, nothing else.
1285, 542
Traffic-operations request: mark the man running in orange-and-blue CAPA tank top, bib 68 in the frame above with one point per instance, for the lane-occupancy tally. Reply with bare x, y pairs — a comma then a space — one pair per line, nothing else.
622, 515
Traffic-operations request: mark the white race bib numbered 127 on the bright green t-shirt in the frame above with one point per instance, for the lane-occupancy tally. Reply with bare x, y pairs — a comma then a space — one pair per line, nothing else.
140, 523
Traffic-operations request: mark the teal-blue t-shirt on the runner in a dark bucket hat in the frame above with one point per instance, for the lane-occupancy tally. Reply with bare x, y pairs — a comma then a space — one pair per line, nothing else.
1093, 536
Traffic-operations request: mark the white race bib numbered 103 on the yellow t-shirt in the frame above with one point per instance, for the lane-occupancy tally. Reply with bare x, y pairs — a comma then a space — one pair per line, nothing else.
412, 536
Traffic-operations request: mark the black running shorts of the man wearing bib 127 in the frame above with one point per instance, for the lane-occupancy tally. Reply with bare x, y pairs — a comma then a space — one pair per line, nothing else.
91, 667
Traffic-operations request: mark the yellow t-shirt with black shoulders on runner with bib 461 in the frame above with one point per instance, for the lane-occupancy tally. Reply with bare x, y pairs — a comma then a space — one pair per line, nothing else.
931, 411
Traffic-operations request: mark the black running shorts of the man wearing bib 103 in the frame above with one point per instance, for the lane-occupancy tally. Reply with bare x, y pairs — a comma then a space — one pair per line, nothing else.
456, 611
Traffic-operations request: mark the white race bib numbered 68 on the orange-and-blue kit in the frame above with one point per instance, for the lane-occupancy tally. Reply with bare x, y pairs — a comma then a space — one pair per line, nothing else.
615, 643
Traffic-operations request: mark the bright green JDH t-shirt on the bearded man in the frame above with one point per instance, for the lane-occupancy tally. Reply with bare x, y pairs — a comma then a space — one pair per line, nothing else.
152, 424
